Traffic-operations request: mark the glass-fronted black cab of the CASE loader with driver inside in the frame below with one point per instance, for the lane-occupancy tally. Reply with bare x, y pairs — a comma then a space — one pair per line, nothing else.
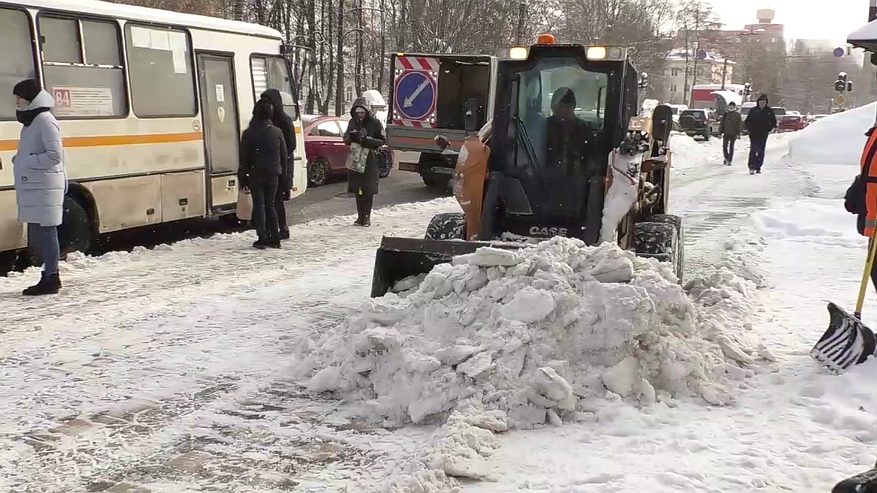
560, 111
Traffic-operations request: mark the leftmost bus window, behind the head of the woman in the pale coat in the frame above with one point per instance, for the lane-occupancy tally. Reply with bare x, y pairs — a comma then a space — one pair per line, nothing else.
17, 62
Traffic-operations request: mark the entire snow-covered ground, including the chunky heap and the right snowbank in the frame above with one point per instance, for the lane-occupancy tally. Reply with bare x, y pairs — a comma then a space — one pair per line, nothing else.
208, 366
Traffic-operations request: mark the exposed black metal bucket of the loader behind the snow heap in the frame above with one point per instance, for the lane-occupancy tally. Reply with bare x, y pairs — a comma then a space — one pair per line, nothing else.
398, 258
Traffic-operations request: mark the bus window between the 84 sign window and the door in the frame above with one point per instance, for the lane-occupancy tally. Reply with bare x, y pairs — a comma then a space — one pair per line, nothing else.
162, 79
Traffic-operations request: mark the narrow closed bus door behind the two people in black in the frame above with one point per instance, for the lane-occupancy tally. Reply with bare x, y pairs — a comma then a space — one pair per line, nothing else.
221, 129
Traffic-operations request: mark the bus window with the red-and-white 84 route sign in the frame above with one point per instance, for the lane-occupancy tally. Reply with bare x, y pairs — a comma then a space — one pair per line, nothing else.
89, 82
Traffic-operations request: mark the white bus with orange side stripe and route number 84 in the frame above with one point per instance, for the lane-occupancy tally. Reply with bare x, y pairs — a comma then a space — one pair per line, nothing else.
151, 106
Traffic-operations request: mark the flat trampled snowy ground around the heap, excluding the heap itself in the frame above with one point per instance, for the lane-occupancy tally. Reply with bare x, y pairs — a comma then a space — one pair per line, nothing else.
167, 371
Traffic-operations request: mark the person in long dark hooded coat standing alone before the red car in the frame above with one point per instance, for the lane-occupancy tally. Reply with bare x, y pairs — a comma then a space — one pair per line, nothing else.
365, 130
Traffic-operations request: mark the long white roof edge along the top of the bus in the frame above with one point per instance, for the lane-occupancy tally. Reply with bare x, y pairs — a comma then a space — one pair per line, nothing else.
152, 15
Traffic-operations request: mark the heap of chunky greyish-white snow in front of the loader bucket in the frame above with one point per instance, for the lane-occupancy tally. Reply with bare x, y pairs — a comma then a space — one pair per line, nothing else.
531, 333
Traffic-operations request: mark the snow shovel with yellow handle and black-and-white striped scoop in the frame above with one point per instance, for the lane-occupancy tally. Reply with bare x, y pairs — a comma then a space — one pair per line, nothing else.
847, 341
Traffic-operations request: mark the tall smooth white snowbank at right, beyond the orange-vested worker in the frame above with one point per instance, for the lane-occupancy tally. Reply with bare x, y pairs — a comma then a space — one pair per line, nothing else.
835, 139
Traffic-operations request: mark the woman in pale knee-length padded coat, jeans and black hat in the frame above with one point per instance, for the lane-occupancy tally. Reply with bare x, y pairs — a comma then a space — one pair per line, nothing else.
40, 179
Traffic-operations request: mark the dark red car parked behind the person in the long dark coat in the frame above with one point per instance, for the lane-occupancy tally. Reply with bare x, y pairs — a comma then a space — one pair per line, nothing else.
326, 151
